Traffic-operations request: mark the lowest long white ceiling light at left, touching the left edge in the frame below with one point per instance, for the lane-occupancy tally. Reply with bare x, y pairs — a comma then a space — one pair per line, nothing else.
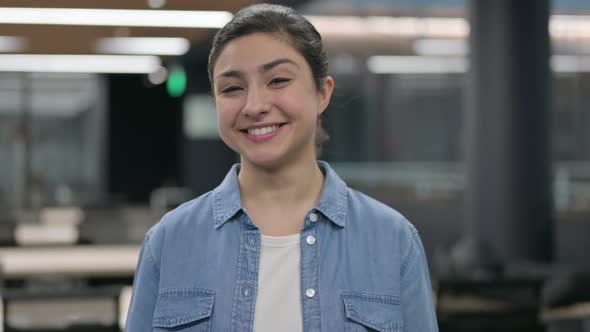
45, 63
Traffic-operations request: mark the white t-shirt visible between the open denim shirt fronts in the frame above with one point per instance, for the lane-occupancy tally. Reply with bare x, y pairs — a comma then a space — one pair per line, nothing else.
278, 302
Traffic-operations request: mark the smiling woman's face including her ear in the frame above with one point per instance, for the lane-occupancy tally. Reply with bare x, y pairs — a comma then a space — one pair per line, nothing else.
267, 102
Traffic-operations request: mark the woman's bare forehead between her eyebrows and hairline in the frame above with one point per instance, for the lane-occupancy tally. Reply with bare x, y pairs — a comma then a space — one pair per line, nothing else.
248, 53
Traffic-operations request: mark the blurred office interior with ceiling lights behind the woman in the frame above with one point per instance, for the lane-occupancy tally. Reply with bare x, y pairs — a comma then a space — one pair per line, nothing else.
471, 117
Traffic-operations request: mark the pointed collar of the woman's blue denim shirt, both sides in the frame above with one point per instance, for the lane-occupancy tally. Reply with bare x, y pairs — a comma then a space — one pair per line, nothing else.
227, 200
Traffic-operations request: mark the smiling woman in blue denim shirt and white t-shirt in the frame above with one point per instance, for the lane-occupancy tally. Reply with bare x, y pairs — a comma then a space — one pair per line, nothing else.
282, 244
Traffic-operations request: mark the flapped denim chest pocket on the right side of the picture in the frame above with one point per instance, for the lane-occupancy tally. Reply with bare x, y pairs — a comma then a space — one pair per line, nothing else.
372, 312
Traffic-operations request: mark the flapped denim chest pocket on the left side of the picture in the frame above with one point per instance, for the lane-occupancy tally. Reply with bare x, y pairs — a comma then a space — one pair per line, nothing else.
184, 309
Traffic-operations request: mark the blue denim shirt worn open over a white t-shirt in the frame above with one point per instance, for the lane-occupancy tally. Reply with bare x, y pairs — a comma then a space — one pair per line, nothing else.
363, 270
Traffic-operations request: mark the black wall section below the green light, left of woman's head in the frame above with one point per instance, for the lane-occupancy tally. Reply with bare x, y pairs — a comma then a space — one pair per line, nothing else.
144, 135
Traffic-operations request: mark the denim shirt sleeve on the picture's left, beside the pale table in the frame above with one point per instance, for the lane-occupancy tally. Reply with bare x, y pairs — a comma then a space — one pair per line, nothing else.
145, 292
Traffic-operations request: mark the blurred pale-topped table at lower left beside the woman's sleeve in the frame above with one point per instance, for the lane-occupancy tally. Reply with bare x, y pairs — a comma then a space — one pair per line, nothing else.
51, 299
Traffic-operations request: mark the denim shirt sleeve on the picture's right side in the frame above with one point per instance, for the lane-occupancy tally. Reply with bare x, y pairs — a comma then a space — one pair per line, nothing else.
416, 289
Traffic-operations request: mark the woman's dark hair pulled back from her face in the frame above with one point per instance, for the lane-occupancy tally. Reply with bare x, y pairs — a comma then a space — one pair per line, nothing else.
285, 22
